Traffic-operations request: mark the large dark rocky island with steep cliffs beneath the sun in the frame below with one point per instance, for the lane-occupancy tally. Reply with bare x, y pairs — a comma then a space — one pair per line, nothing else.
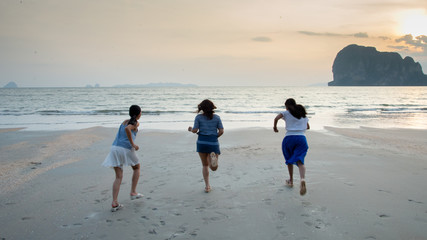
364, 66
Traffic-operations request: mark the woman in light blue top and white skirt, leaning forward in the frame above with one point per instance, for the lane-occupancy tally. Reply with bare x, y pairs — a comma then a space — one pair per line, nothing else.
123, 154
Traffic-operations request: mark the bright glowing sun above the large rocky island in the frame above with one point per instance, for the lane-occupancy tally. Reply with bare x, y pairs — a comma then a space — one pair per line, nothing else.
413, 22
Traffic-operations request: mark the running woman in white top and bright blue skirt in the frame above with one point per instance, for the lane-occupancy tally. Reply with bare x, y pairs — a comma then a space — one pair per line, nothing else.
294, 145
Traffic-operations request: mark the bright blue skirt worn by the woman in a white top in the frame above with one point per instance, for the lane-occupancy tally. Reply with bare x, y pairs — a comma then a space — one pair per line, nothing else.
294, 149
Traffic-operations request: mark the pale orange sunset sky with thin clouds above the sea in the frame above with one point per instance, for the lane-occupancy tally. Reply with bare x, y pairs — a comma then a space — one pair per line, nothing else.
49, 43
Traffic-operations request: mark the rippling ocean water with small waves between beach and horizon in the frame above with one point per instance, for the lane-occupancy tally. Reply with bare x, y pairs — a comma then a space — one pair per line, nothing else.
239, 107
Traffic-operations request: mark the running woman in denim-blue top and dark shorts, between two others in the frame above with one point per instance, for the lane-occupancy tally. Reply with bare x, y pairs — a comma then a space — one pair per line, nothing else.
209, 128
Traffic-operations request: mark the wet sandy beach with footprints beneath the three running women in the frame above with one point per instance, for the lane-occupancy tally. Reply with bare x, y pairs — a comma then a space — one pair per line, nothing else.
362, 183
